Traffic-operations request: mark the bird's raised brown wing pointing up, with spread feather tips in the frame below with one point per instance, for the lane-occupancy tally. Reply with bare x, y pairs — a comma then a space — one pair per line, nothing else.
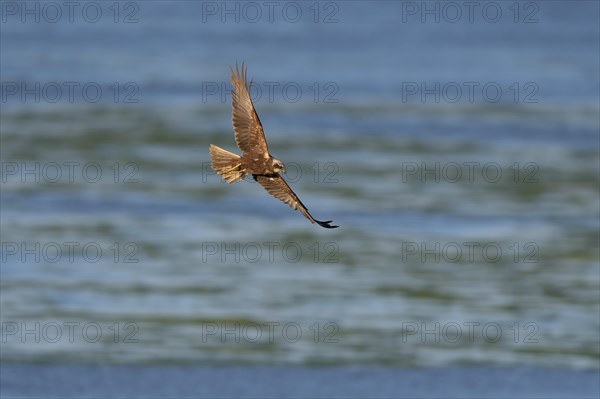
247, 129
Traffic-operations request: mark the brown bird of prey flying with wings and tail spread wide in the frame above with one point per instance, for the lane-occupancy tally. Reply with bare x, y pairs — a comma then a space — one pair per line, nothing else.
255, 159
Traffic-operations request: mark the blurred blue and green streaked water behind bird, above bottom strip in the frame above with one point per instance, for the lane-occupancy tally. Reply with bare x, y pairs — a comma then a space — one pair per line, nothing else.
456, 146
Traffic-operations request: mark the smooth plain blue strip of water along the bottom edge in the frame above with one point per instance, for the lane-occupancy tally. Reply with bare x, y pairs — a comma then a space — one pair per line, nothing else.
293, 382
